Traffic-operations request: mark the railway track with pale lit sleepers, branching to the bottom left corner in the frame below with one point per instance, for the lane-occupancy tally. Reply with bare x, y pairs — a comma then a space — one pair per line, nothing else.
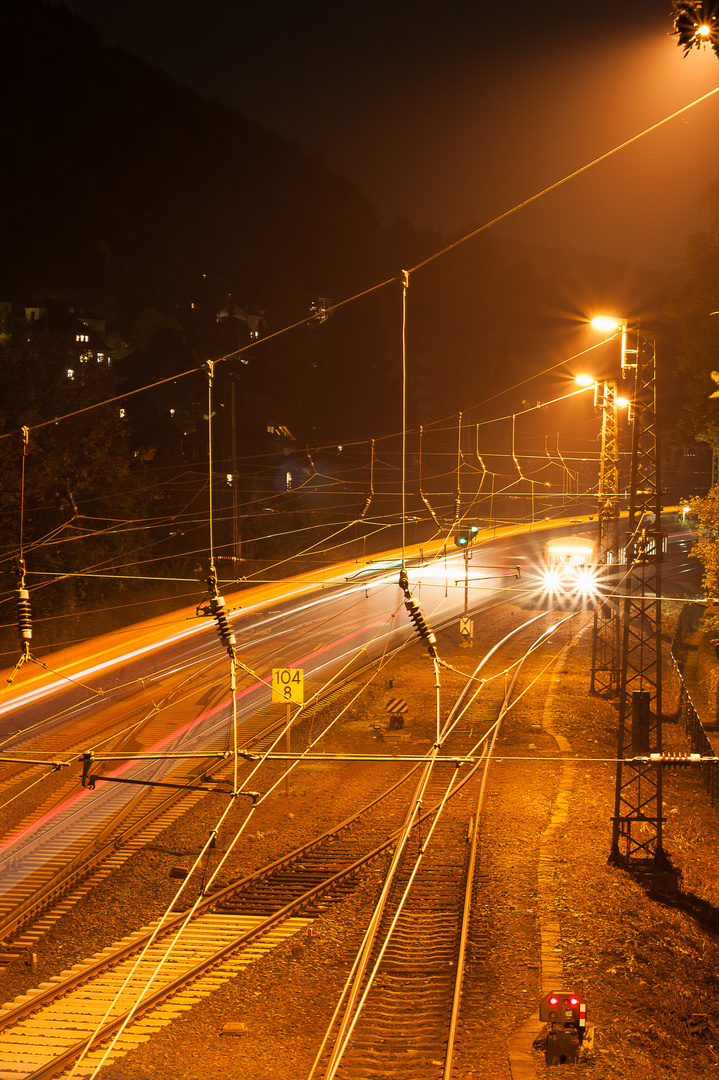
296, 888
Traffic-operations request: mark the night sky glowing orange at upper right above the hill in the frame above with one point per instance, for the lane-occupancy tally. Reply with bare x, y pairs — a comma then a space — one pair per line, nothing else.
452, 114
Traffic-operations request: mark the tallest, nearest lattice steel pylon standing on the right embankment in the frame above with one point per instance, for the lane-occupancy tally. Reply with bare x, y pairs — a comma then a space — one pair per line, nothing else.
637, 821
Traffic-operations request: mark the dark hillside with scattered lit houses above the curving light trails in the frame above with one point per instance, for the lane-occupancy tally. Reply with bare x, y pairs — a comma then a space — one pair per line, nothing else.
174, 232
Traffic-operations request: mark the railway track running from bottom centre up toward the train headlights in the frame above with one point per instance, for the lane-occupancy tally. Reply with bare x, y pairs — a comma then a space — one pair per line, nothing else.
402, 1006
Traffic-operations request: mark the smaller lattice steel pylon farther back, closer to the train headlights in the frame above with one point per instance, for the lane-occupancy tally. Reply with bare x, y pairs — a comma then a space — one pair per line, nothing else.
606, 632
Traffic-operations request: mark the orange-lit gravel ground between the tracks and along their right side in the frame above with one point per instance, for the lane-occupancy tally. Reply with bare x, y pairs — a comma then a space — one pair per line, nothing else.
648, 966
